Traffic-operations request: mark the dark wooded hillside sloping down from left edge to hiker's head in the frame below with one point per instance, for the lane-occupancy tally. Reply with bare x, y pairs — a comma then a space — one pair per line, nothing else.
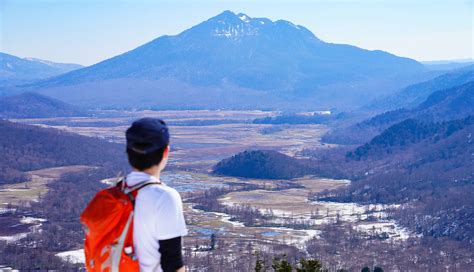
26, 148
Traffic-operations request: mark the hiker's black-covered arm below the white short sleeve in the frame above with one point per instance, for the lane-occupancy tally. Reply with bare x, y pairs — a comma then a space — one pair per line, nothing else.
171, 255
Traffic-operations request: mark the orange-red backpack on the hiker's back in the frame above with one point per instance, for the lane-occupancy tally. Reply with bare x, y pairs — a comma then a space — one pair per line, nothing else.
108, 227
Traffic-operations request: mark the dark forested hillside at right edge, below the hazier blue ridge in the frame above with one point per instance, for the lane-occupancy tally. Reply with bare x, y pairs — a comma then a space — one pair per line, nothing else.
426, 167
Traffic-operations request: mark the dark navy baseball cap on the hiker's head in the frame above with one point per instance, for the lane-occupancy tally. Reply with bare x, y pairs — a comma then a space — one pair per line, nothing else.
147, 135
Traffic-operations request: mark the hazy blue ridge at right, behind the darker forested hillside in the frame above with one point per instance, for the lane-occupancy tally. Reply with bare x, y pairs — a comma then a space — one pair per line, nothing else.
446, 97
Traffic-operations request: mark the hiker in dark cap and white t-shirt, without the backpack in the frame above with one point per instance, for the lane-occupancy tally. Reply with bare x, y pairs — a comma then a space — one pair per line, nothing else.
159, 222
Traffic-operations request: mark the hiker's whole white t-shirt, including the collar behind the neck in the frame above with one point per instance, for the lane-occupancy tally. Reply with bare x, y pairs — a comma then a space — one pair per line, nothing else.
158, 216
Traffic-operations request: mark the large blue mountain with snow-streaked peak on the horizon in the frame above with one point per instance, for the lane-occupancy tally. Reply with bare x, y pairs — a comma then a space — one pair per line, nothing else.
227, 58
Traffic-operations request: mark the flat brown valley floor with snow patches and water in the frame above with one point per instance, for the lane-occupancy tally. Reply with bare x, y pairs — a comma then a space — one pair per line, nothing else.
291, 219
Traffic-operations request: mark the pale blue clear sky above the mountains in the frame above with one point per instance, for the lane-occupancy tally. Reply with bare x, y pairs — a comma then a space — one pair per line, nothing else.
88, 31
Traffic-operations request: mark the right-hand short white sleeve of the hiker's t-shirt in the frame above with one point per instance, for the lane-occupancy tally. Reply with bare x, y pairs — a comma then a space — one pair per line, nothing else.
169, 221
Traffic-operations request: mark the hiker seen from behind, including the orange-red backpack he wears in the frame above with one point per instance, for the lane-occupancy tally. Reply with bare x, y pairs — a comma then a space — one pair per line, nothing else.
156, 210
